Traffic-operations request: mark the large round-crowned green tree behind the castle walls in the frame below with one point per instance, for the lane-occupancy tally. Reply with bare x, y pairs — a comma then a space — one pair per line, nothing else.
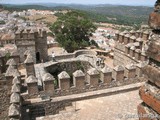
73, 30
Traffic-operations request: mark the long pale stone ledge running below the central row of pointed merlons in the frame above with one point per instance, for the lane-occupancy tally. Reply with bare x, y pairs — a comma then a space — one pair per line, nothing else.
93, 94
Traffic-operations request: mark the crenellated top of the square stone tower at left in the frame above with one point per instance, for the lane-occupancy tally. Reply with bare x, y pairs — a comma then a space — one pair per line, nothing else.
30, 34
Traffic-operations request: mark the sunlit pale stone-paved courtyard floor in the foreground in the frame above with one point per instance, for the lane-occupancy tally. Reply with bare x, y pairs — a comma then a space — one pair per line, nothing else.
115, 107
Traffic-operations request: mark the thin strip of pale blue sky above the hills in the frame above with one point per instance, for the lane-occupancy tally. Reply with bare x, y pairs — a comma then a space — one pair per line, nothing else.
121, 2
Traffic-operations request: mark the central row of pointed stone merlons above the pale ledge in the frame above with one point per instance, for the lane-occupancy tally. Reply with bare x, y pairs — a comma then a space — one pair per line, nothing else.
82, 81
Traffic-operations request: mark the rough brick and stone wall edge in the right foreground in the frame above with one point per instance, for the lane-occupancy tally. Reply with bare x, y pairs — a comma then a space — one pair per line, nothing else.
149, 109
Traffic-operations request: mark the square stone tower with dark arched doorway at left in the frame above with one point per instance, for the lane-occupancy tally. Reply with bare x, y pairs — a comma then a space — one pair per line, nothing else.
33, 40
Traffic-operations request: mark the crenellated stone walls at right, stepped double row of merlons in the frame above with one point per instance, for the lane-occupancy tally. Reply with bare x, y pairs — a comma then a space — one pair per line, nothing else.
131, 47
